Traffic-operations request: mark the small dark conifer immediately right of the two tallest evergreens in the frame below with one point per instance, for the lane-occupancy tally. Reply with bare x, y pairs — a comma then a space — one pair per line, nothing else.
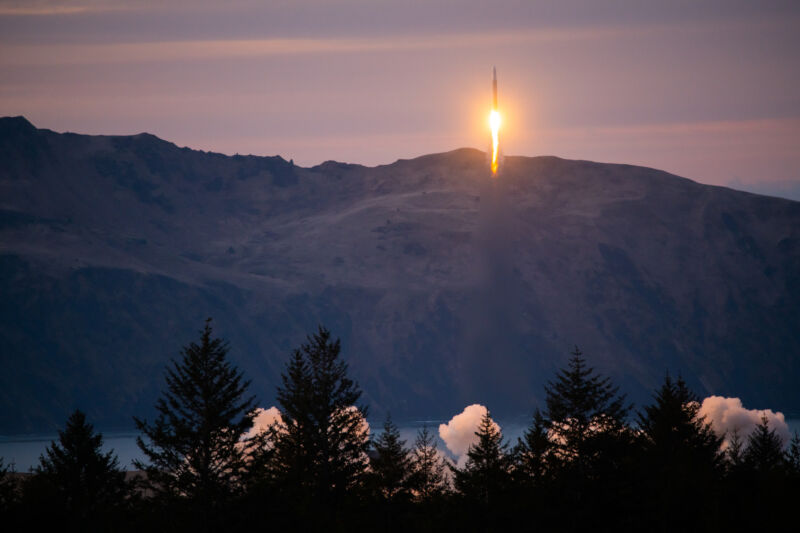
391, 465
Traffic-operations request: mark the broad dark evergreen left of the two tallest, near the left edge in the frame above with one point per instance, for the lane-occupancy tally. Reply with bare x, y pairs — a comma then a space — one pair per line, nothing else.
79, 485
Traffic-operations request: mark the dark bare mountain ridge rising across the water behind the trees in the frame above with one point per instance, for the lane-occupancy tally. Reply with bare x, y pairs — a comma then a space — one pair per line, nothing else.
446, 287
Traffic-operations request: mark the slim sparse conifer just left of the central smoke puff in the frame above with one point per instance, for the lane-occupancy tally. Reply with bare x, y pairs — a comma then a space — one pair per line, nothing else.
429, 479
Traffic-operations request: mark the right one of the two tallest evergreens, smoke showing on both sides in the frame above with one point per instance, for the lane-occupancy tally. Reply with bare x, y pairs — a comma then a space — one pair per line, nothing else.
319, 452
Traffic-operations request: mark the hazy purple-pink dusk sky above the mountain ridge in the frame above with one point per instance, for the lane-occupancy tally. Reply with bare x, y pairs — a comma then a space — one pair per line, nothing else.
706, 90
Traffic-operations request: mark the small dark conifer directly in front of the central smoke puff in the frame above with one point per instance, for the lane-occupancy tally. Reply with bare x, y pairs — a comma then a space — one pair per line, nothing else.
486, 475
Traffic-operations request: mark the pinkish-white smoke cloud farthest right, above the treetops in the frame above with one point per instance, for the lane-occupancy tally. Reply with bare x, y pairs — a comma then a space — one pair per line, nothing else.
727, 415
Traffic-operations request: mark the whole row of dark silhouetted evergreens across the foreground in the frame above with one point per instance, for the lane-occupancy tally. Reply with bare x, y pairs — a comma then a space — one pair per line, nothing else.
588, 461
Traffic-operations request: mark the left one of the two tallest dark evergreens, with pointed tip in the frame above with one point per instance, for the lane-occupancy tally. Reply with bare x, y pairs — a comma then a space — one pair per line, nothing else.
193, 447
